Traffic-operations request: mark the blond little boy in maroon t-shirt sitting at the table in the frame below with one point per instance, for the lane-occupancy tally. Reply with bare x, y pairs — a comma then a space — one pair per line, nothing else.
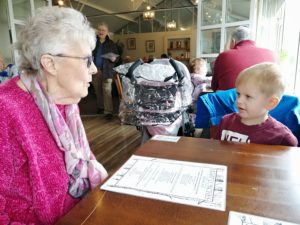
259, 90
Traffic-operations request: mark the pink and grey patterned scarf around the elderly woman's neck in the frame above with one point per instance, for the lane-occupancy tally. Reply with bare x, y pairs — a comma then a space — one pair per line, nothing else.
84, 170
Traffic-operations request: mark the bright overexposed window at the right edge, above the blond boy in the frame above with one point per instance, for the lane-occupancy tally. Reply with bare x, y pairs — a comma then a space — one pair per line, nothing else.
277, 22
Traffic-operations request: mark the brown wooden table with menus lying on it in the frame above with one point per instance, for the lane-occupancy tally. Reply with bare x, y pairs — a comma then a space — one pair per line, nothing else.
262, 180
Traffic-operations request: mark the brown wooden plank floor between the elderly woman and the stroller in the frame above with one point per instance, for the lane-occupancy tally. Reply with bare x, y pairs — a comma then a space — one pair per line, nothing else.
111, 142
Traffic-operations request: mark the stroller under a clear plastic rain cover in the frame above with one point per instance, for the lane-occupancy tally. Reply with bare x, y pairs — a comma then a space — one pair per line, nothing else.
156, 97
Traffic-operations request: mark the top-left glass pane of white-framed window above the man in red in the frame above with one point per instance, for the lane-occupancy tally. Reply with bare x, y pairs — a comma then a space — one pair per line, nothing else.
211, 12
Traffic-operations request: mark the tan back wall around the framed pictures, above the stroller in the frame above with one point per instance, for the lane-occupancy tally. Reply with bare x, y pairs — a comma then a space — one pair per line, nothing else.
160, 42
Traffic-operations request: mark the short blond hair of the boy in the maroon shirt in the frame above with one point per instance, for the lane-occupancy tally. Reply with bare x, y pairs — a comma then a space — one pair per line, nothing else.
267, 77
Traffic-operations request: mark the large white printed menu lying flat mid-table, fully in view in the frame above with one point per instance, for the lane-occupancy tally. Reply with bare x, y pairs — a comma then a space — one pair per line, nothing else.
197, 184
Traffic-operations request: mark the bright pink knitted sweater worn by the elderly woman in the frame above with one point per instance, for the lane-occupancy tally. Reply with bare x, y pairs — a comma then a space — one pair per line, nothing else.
33, 177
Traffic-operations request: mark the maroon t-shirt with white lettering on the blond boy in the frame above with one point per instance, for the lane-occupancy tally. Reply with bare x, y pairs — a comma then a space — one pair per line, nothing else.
270, 132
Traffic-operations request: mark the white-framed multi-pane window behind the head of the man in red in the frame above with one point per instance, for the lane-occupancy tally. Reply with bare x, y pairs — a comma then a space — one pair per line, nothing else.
218, 18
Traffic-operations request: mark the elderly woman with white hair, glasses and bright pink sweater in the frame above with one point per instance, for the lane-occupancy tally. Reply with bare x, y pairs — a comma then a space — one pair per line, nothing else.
46, 163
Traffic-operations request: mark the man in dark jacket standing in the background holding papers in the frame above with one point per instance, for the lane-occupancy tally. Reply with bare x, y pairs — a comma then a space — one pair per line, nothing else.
102, 81
